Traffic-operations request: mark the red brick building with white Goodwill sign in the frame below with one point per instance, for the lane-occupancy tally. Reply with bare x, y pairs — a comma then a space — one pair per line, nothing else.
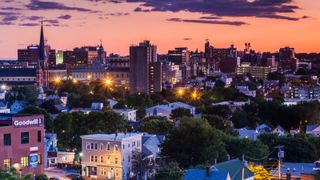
22, 143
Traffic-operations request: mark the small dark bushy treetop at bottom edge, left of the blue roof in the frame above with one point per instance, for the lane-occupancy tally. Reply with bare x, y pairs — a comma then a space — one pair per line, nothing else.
169, 171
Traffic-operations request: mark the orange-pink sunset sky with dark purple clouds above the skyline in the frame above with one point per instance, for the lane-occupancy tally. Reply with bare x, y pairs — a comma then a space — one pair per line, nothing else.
267, 24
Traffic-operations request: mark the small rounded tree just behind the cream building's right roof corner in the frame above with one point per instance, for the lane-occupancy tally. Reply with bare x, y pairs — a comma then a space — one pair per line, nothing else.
155, 126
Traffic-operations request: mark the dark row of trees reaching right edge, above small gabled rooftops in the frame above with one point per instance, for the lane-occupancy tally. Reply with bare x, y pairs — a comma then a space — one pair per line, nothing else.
275, 113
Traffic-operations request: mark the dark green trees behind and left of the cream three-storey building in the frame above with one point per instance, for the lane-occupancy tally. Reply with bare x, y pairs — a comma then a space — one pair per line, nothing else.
70, 126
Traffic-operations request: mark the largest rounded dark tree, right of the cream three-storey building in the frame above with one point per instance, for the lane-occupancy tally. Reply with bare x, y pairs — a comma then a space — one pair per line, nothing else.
194, 142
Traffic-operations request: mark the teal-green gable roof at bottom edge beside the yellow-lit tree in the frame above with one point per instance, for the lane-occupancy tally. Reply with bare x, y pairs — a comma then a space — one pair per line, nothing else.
234, 167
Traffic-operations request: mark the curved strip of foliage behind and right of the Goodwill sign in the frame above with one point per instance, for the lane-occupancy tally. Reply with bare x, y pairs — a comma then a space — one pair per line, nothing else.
48, 123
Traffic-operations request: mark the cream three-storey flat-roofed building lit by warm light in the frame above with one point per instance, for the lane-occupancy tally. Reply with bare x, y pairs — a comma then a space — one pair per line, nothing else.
109, 156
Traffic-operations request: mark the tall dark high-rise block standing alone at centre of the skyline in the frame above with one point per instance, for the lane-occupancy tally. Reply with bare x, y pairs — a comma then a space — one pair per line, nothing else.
145, 69
